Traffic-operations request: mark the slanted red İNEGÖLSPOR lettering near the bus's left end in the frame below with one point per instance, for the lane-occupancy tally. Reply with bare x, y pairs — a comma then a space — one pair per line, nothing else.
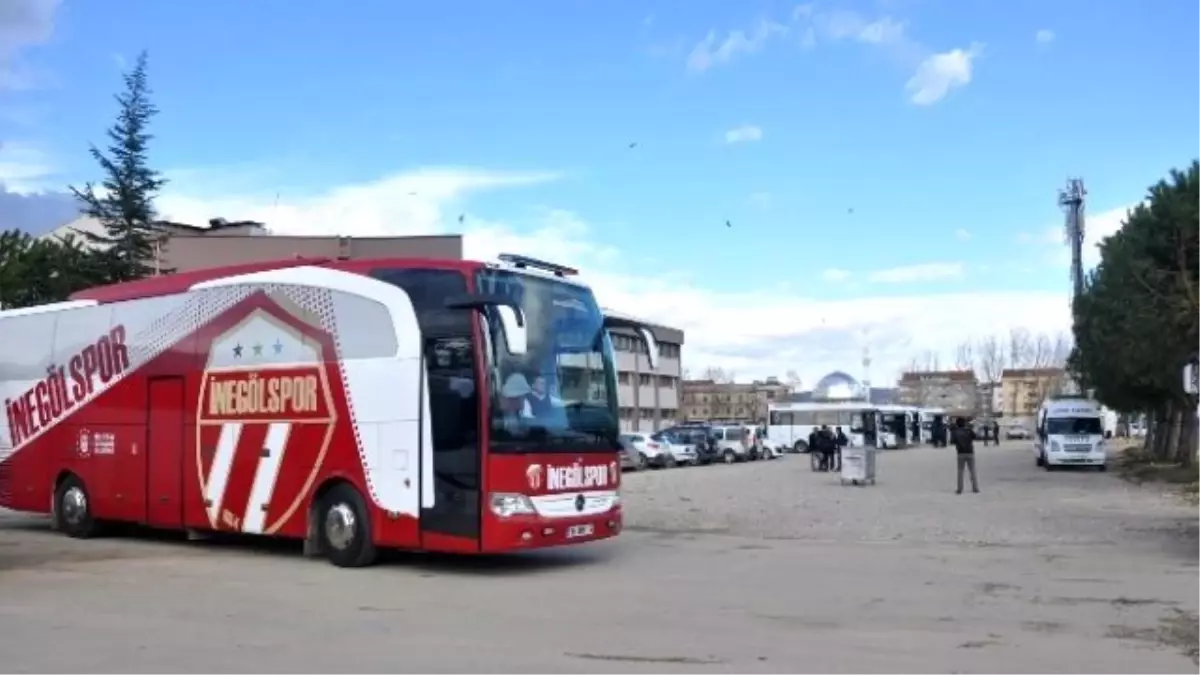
65, 387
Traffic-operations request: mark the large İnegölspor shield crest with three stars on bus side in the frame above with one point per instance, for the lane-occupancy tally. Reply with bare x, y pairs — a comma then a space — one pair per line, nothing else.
266, 420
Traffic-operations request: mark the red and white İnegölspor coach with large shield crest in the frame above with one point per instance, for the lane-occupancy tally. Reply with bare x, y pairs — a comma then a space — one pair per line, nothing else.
434, 405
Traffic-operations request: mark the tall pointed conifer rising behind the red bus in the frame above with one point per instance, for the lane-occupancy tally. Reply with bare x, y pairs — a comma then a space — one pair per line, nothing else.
124, 201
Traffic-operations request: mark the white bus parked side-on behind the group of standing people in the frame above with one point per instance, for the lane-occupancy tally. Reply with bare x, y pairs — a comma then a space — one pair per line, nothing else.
790, 425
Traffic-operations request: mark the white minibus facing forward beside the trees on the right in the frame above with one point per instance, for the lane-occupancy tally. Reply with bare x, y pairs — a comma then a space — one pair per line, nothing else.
1071, 433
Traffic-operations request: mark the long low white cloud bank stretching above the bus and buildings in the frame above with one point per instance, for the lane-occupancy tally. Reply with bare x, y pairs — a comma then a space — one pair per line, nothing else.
755, 333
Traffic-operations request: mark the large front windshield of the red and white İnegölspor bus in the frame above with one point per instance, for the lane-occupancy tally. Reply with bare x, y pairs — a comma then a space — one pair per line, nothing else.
561, 396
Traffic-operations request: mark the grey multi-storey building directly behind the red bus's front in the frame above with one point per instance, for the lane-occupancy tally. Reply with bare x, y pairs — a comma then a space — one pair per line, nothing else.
649, 399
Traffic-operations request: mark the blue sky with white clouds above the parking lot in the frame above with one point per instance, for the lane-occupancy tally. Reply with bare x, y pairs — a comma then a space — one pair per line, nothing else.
922, 135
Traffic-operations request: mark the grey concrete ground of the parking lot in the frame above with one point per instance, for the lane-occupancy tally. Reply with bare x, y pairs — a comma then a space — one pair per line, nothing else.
759, 569
